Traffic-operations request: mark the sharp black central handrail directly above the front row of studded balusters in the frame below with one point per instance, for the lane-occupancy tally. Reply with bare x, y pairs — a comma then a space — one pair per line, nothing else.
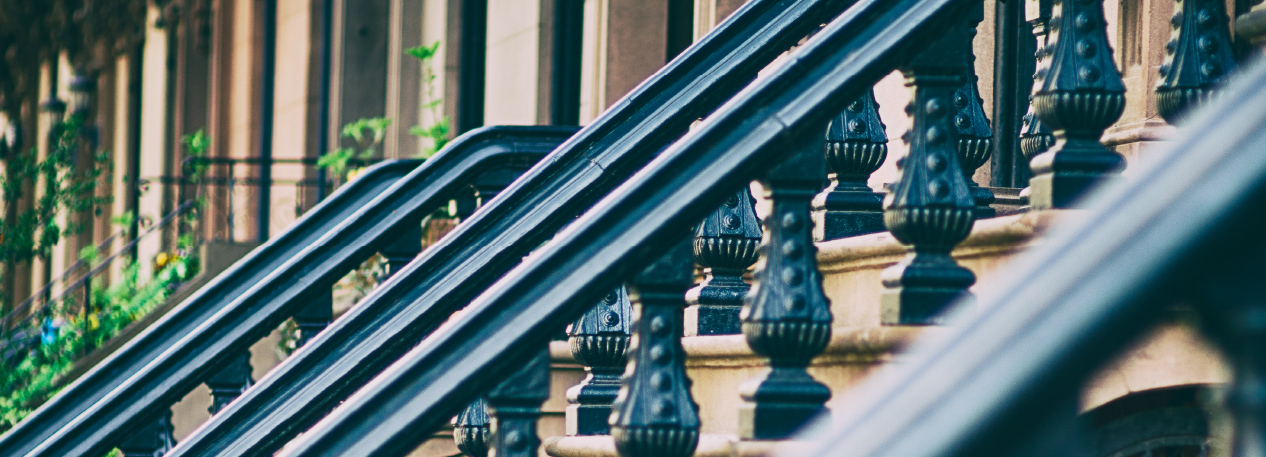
629, 230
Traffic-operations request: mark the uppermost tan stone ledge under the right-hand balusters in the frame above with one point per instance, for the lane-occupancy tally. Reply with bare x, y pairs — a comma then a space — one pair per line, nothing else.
988, 237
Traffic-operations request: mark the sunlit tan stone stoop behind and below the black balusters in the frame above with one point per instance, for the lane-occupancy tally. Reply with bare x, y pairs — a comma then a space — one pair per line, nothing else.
1173, 355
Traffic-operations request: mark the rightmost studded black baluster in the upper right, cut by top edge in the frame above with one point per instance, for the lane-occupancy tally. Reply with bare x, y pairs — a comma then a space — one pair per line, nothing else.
1197, 59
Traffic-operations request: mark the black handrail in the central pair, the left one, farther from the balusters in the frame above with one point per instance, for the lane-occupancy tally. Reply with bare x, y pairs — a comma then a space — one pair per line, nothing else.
453, 273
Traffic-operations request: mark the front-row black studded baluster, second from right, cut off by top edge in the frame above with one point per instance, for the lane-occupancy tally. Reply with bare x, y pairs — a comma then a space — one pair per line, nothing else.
1079, 97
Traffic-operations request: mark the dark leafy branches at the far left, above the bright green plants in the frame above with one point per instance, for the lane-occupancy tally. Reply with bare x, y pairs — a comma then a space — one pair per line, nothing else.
68, 188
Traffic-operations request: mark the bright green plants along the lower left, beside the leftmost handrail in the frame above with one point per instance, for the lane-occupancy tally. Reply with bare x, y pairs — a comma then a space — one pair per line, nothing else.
39, 377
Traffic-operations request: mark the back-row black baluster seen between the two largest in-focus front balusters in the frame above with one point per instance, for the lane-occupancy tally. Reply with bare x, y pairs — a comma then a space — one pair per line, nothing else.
856, 146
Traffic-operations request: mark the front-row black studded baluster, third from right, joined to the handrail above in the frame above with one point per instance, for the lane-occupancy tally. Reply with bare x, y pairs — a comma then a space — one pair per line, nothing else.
931, 208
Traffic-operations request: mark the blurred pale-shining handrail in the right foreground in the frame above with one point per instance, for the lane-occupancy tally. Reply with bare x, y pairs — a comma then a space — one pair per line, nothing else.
1072, 304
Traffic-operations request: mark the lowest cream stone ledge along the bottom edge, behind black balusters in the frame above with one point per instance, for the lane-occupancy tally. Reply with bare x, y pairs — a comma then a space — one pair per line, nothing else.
710, 446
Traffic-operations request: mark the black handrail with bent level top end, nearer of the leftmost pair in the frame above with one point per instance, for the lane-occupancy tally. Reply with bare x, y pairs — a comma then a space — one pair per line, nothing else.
283, 292
